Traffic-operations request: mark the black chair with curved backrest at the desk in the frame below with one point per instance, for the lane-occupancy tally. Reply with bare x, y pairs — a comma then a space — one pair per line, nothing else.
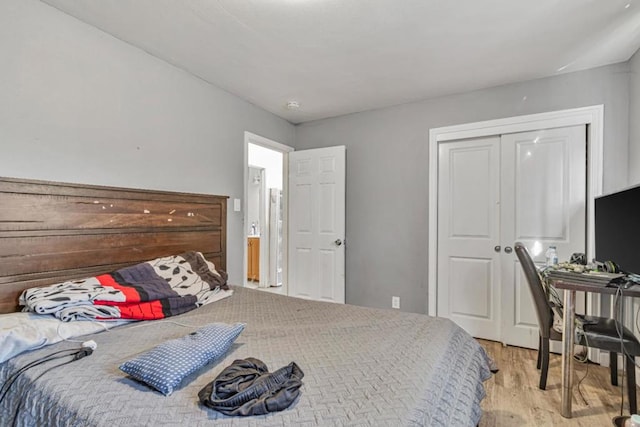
599, 332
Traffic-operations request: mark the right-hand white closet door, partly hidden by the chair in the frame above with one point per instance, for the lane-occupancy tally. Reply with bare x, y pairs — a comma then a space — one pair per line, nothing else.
544, 203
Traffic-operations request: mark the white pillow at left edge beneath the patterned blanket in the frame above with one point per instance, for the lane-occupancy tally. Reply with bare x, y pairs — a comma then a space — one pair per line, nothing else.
21, 332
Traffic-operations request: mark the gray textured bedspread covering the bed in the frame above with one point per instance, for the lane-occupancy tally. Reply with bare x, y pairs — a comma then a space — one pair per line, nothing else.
363, 367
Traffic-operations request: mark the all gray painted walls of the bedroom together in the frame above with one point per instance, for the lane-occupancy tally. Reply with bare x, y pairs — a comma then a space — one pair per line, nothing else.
78, 105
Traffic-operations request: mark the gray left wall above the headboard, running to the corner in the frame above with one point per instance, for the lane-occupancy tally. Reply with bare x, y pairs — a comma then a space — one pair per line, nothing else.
77, 105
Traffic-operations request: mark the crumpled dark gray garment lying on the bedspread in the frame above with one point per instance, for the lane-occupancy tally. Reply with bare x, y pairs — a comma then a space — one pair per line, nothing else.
247, 388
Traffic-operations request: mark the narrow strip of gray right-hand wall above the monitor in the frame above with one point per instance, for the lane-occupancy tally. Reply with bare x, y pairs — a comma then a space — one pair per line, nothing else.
634, 119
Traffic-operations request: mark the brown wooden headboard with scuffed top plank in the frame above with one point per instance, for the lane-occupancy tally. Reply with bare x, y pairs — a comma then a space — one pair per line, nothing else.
52, 232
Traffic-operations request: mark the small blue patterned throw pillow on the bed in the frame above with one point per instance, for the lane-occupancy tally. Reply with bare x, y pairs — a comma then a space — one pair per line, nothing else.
165, 366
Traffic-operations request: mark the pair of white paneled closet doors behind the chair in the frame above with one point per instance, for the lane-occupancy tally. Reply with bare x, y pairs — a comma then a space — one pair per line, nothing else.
492, 192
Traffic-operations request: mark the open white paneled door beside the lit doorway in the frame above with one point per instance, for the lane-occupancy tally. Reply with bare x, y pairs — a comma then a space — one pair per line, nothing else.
317, 224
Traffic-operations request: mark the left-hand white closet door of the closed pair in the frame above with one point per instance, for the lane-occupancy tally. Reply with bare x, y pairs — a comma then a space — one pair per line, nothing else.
468, 229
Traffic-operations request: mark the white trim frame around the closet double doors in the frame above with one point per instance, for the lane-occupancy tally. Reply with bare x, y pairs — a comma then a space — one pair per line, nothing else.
592, 116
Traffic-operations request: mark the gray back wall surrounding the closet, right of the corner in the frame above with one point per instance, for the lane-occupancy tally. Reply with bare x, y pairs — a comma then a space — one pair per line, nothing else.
387, 170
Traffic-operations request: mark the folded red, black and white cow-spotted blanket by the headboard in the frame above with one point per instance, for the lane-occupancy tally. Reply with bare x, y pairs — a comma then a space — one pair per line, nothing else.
151, 290
